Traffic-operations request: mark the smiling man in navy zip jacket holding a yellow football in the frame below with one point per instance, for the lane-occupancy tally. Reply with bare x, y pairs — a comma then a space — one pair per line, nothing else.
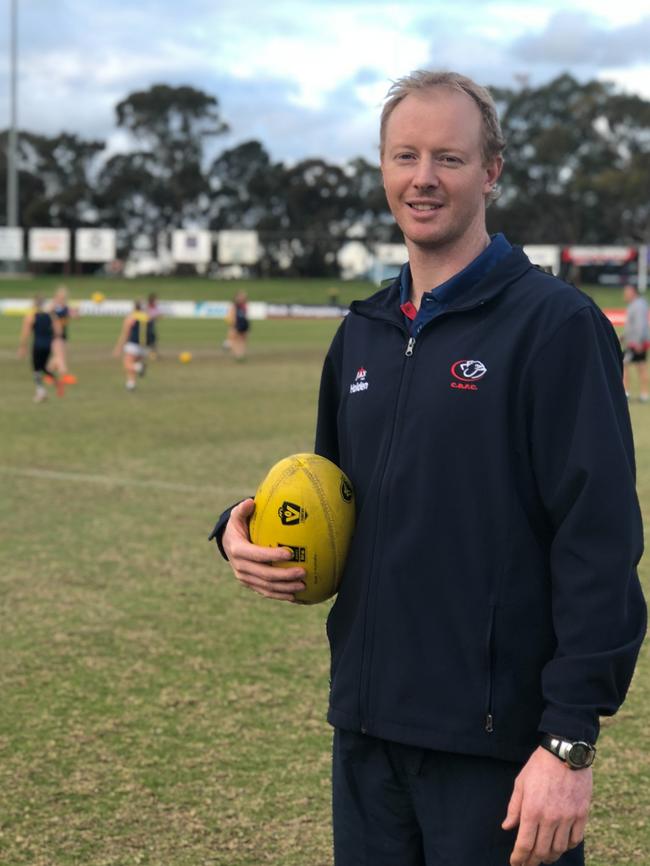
490, 609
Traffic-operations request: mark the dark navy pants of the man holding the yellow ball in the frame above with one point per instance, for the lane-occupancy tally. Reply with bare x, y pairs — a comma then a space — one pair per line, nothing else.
397, 805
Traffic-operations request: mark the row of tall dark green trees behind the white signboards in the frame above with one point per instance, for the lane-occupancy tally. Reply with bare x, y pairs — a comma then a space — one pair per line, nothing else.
577, 171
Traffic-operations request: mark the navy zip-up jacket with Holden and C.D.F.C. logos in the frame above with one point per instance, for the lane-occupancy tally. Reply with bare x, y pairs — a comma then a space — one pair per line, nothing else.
491, 589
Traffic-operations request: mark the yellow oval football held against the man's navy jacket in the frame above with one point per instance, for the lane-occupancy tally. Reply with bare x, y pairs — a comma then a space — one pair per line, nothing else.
306, 504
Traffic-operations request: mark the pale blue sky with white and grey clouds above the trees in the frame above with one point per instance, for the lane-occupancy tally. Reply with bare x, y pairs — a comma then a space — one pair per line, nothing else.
306, 77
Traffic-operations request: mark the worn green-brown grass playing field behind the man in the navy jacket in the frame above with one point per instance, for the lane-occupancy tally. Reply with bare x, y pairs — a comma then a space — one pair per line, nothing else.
152, 711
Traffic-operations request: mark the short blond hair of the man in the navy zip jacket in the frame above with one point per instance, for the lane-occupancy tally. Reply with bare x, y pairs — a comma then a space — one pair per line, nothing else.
492, 140
